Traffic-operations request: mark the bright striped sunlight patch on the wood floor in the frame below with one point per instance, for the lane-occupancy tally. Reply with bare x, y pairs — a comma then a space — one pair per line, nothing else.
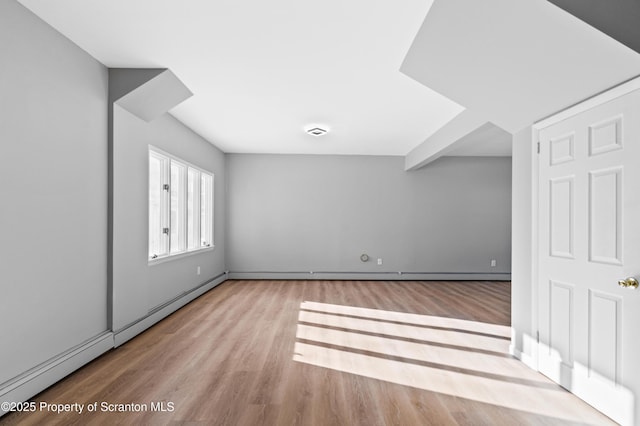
455, 357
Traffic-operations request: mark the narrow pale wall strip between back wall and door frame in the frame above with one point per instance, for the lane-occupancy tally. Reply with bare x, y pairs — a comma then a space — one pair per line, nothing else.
521, 284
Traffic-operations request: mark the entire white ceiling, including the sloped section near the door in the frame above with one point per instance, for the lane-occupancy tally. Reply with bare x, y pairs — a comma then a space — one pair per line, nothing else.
264, 72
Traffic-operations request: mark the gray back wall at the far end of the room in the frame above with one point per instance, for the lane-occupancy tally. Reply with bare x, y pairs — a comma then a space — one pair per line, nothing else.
319, 213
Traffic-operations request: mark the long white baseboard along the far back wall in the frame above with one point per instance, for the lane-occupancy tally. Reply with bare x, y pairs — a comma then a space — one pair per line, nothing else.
386, 276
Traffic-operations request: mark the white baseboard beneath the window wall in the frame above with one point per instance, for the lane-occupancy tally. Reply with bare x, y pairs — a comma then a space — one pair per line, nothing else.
130, 331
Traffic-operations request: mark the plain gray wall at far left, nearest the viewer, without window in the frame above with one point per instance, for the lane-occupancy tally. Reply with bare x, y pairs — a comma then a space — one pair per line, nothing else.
53, 155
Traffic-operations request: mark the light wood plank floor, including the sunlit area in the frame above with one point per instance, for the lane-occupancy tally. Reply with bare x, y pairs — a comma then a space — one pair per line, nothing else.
323, 353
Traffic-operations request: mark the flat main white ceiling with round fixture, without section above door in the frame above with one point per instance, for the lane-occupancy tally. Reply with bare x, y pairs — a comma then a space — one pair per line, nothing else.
262, 71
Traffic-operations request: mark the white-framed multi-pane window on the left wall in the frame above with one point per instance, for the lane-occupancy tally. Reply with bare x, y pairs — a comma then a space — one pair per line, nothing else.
180, 206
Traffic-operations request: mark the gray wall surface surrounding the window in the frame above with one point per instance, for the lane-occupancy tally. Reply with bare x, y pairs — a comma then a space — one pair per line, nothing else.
137, 287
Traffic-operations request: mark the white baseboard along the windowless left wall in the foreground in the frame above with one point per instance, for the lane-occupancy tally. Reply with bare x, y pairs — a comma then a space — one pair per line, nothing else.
41, 377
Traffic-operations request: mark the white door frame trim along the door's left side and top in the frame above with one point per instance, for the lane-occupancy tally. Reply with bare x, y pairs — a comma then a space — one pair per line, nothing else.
615, 92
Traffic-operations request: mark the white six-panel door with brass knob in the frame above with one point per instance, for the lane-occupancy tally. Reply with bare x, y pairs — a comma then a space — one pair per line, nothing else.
589, 239
